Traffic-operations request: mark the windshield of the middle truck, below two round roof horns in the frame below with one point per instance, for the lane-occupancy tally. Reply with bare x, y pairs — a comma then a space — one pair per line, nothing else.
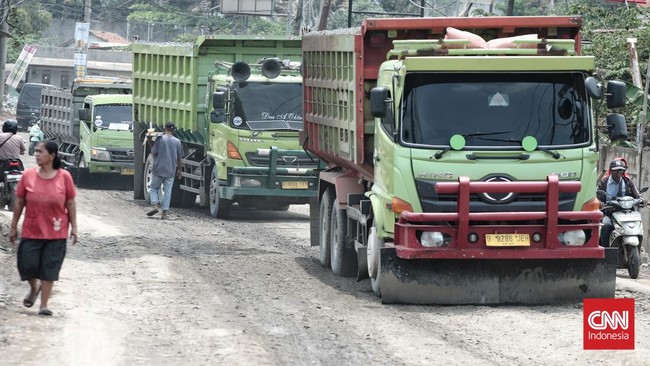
267, 106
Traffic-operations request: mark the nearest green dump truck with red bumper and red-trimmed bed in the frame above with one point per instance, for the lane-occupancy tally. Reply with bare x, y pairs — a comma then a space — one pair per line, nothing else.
460, 170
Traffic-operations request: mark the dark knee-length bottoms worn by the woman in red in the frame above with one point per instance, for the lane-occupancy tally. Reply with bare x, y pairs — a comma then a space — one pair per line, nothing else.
40, 259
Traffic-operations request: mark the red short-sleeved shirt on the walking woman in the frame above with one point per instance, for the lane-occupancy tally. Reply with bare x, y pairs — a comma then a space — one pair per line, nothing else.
46, 216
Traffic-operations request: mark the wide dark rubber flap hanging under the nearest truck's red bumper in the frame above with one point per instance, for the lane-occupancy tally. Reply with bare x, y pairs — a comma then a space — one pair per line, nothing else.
454, 282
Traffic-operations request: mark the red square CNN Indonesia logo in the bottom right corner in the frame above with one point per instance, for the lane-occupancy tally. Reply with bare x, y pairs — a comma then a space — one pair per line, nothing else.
608, 324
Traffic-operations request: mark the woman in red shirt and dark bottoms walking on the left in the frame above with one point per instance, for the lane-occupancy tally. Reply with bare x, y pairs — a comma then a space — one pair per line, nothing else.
47, 192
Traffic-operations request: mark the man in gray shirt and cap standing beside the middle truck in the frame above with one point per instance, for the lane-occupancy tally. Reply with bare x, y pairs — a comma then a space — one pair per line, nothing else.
167, 153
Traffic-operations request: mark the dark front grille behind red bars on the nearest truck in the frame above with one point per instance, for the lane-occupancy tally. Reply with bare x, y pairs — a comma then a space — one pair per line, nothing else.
523, 202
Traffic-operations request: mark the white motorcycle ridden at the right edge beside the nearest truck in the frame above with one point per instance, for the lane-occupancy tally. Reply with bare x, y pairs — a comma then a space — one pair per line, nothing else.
627, 235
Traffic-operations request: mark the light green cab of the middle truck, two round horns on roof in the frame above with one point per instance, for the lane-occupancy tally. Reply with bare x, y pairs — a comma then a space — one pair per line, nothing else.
256, 119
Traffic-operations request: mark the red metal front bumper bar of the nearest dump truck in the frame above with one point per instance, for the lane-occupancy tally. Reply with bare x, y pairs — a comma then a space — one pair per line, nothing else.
500, 235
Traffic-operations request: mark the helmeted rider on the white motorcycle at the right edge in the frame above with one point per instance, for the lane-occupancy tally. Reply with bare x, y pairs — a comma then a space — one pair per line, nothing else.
616, 183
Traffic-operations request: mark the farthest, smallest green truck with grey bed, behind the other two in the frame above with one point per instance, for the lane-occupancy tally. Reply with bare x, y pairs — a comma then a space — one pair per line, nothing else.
92, 123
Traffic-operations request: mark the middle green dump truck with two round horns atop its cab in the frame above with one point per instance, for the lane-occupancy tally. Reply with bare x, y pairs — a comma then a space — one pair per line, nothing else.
237, 105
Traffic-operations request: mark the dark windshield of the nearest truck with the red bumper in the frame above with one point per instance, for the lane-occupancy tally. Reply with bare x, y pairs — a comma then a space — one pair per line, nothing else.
495, 109
